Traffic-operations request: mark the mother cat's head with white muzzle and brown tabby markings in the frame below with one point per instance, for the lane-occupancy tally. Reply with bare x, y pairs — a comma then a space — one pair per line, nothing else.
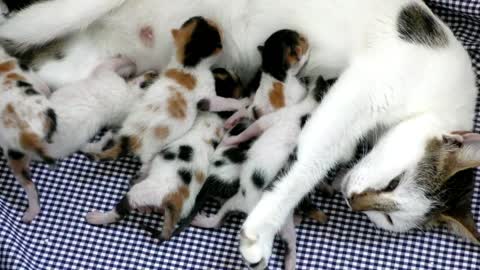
436, 190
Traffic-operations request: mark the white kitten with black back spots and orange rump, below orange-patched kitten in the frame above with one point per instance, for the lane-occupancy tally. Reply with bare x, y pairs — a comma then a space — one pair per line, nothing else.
178, 172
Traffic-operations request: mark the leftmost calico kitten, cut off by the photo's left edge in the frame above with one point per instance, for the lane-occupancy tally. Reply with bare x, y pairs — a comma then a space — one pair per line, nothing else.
27, 123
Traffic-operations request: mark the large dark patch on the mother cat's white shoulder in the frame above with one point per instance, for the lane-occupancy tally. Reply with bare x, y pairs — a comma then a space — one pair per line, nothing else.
416, 25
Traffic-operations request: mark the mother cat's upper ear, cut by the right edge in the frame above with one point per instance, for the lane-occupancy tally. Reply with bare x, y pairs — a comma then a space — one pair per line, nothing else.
467, 146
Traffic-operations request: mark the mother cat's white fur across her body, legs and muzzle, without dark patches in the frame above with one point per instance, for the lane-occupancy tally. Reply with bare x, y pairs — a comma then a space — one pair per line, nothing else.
416, 91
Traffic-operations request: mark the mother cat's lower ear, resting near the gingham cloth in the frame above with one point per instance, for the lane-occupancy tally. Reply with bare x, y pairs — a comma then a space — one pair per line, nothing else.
462, 224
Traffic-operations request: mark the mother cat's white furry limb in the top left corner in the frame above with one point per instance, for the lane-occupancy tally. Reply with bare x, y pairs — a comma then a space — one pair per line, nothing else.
48, 20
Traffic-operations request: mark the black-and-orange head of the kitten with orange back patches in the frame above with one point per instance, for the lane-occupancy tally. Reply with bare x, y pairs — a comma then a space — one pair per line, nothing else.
198, 40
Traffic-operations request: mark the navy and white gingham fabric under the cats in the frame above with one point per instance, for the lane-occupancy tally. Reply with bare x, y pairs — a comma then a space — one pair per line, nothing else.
61, 239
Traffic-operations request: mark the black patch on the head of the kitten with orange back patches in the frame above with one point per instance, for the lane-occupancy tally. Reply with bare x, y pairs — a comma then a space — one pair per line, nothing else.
204, 41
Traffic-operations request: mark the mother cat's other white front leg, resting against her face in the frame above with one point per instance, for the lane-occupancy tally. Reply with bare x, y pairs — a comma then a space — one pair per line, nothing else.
401, 147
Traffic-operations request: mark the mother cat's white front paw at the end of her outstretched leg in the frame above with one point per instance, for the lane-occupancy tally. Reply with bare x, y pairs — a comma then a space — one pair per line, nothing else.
255, 249
